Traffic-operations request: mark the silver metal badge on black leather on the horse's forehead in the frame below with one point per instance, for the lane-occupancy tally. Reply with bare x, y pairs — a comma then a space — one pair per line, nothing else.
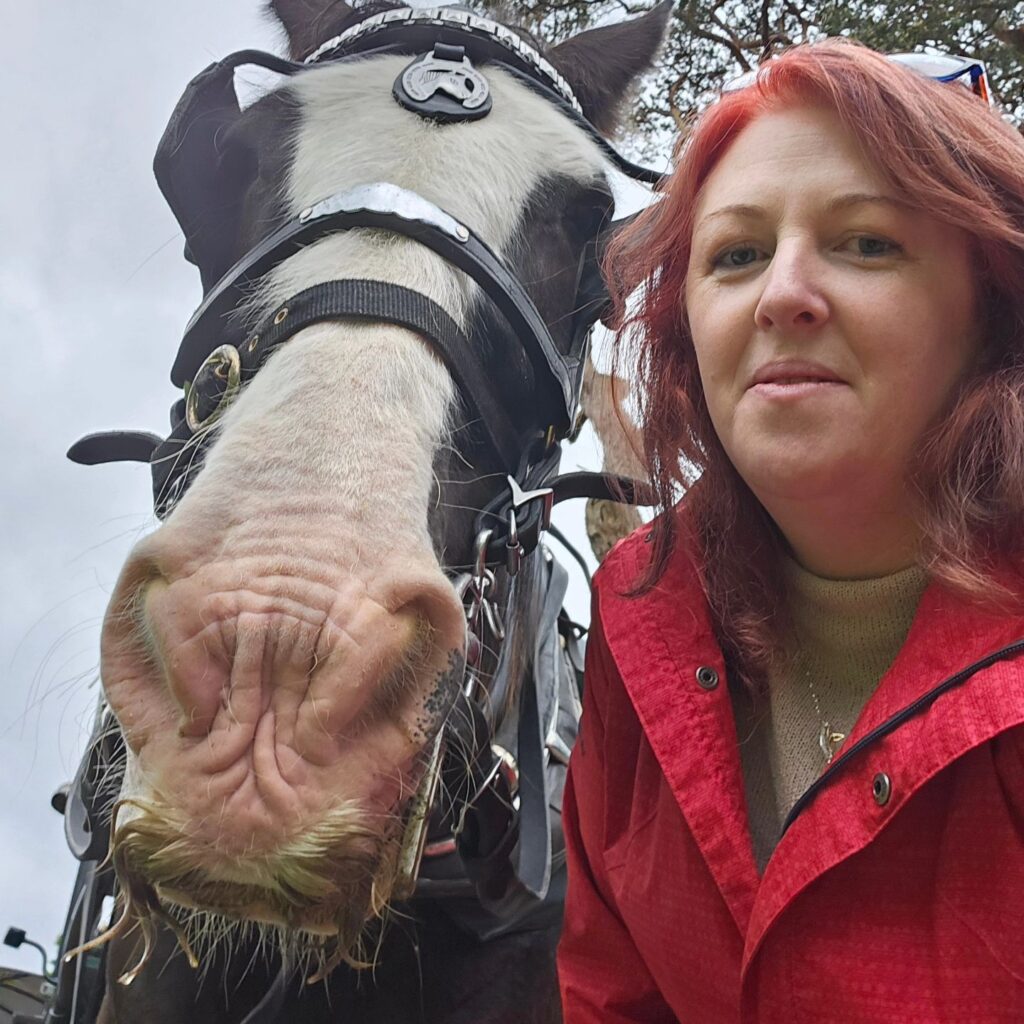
444, 87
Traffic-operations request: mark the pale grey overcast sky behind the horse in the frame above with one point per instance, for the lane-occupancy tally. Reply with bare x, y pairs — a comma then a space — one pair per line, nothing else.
94, 296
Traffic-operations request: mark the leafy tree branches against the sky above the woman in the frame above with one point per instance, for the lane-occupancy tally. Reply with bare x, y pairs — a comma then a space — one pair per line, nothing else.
712, 42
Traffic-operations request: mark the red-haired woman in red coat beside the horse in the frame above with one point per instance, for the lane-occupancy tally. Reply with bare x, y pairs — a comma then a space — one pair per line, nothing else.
832, 347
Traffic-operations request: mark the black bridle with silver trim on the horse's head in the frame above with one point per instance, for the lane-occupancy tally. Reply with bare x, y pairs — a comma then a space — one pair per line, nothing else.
219, 357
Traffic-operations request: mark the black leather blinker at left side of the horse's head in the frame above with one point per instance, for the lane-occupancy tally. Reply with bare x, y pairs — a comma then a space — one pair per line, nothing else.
205, 168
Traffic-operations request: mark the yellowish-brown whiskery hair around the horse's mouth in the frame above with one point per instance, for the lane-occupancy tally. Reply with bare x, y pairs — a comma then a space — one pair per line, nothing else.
310, 902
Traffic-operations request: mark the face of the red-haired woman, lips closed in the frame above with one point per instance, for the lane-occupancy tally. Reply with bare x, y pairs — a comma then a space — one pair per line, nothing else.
831, 323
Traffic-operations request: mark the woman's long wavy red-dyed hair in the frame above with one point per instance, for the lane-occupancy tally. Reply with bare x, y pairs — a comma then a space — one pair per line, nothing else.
943, 151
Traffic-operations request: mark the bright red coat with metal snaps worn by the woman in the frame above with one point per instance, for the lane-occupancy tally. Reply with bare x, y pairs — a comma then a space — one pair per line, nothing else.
872, 911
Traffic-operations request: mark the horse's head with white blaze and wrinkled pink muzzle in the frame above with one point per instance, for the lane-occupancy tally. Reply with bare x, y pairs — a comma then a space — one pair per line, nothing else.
283, 652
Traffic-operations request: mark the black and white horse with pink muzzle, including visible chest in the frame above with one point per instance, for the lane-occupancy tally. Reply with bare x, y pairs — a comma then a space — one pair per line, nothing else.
282, 655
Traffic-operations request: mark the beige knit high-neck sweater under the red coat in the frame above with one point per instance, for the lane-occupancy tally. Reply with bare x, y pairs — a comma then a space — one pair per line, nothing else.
845, 636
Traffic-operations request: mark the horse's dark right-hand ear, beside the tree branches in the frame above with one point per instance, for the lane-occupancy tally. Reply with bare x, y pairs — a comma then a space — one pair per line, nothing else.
603, 64
